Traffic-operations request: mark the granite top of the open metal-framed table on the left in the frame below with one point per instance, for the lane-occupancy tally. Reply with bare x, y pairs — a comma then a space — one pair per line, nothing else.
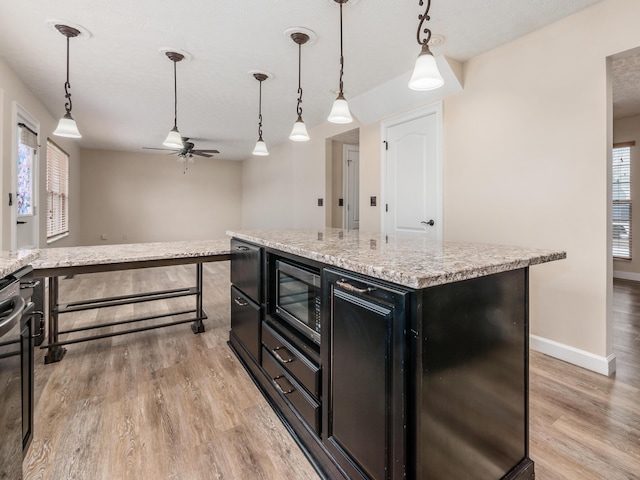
132, 252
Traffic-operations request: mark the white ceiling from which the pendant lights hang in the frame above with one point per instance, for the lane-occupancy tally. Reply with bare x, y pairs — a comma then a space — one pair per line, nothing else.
122, 86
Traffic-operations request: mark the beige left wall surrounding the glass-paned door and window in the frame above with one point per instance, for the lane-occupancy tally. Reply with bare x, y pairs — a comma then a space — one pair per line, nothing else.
13, 91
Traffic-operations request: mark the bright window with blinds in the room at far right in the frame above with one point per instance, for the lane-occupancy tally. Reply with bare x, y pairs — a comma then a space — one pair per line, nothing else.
621, 195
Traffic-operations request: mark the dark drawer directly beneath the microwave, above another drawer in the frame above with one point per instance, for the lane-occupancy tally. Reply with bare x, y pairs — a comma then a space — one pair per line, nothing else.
299, 366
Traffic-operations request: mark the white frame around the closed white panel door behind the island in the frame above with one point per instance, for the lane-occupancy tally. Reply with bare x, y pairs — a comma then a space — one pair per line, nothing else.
432, 109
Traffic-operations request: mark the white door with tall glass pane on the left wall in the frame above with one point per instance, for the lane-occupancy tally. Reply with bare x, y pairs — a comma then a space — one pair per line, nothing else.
24, 195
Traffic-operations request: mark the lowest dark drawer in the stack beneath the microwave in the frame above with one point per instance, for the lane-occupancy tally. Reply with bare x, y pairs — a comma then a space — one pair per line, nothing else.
300, 400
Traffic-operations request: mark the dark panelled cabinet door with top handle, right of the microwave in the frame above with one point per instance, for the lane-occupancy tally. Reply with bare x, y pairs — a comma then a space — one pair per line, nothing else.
364, 354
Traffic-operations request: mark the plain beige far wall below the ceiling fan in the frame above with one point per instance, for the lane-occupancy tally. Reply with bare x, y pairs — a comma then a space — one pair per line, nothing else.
139, 197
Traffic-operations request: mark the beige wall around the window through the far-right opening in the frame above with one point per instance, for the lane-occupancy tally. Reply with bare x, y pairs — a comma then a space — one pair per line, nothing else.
628, 130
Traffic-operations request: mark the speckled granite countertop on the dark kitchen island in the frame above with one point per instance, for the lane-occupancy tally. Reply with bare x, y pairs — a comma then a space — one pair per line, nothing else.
404, 260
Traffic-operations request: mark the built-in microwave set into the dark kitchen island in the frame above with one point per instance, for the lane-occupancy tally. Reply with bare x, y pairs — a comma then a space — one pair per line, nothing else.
298, 298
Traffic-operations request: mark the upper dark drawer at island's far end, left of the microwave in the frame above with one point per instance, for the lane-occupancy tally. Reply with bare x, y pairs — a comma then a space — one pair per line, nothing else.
246, 271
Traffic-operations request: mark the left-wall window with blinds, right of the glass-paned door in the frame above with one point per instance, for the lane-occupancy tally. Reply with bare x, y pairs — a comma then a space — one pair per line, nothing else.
57, 191
